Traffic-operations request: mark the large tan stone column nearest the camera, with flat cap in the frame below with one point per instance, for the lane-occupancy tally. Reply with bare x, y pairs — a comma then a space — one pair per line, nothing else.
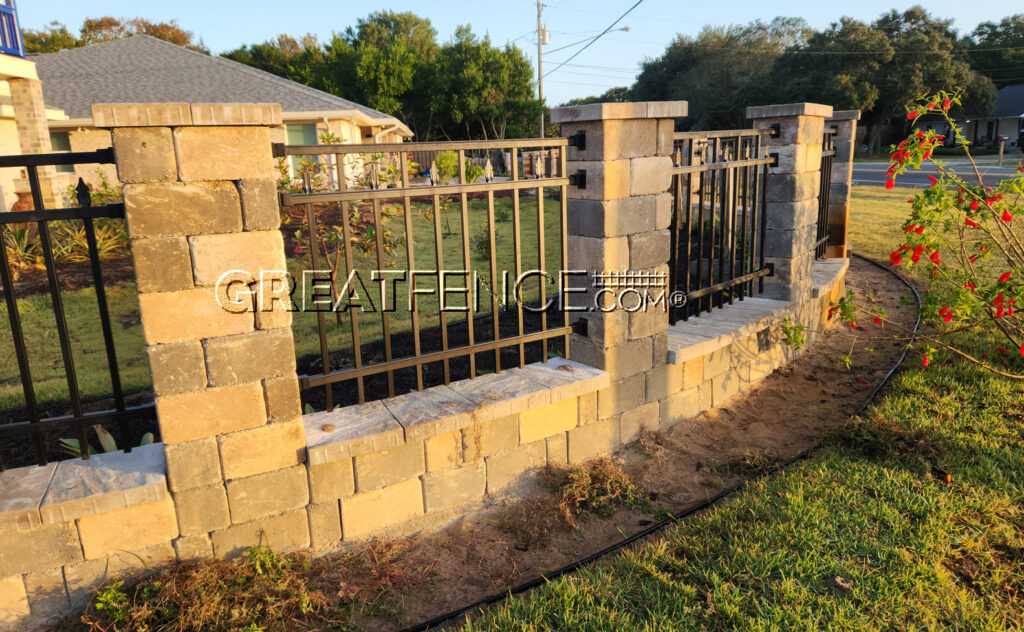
201, 200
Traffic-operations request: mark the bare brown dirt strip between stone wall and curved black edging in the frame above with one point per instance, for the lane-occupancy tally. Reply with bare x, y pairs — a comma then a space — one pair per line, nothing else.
515, 541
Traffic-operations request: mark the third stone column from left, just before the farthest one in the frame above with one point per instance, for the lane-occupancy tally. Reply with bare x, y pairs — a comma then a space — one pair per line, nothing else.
792, 195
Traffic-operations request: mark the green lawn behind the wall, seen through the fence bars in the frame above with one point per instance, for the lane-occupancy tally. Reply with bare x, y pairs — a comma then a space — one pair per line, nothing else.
88, 344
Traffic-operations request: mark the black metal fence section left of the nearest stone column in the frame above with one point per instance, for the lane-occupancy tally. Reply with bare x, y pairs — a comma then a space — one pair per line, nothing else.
32, 434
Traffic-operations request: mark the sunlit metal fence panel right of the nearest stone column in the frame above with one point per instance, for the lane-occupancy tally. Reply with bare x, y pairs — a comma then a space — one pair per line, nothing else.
486, 210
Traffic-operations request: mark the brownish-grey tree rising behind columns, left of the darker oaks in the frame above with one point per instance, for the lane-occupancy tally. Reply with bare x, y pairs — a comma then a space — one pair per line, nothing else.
720, 71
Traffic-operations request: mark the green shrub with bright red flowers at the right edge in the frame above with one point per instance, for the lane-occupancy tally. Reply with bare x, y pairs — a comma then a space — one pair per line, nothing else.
967, 236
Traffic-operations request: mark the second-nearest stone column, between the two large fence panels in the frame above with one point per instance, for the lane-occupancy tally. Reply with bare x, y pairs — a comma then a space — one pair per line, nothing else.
619, 223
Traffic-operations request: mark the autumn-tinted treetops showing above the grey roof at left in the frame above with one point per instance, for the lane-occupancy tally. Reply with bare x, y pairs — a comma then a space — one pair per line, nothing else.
57, 36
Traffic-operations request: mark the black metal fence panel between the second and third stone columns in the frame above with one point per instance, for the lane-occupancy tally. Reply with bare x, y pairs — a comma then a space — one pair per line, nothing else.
718, 221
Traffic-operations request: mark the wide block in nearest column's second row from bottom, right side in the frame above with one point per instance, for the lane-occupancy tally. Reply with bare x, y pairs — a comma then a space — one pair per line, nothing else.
268, 494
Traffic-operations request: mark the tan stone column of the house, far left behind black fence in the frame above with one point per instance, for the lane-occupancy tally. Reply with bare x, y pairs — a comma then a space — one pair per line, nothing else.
33, 135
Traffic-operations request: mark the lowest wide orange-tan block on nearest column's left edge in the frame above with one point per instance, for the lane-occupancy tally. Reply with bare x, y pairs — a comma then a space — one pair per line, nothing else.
190, 416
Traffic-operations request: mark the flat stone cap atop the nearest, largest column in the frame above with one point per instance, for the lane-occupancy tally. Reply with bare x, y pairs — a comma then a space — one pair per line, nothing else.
173, 115
